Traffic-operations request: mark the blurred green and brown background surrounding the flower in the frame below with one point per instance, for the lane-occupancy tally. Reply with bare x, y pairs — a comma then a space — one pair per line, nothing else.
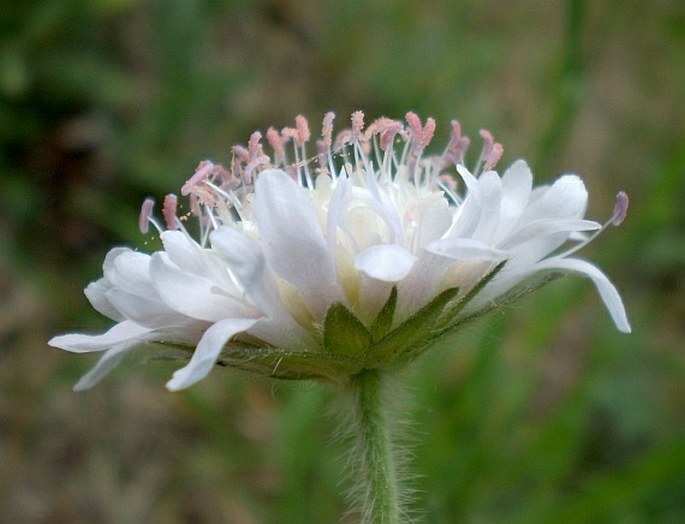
543, 413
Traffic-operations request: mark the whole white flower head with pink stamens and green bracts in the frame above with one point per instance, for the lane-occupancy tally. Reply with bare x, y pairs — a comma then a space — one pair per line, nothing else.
363, 261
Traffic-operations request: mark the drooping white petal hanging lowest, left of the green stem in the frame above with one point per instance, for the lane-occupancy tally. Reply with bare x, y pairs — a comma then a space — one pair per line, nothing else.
207, 351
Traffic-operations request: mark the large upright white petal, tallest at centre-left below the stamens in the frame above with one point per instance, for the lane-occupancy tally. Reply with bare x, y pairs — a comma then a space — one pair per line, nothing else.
292, 240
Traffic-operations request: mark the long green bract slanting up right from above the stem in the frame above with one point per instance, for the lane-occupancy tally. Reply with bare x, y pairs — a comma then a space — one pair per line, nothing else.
412, 333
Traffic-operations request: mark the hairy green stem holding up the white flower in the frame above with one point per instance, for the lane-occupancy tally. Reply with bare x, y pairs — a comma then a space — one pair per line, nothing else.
374, 448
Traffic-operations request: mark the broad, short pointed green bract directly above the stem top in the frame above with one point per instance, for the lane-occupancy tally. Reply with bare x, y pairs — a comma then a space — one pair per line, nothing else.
343, 333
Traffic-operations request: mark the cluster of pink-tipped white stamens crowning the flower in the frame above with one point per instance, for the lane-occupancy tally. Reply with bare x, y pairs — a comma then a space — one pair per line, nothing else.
386, 146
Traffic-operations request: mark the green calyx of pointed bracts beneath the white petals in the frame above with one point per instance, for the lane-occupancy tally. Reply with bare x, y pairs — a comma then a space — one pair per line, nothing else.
350, 347
